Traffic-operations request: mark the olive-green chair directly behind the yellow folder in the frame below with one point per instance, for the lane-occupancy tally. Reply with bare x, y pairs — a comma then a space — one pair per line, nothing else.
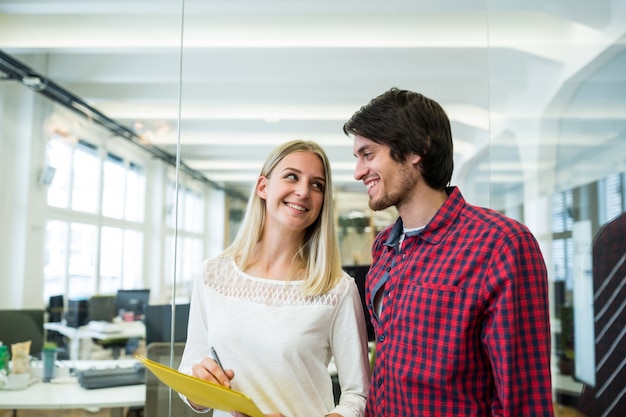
159, 395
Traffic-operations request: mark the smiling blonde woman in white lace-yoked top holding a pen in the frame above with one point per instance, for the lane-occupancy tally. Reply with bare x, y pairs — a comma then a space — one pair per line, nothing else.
276, 304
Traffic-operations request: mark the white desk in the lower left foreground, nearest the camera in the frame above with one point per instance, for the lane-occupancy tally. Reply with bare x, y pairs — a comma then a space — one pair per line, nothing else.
69, 394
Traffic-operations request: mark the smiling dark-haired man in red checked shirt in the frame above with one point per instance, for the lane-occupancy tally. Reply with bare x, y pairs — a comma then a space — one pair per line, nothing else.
458, 294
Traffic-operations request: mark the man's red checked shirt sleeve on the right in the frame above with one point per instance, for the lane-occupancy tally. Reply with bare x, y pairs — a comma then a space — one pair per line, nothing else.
516, 332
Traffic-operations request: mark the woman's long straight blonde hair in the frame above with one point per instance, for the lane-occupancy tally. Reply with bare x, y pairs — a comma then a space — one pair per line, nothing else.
319, 254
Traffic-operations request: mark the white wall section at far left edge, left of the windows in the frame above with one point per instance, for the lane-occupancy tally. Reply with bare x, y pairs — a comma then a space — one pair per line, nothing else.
22, 207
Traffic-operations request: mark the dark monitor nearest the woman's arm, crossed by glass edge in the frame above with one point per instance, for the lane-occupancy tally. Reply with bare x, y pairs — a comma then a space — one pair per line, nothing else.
158, 322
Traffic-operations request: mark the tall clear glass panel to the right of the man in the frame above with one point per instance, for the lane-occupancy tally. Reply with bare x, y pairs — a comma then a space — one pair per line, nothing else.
556, 162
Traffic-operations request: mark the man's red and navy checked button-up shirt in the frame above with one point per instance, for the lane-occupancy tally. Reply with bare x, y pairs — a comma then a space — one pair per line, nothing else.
464, 327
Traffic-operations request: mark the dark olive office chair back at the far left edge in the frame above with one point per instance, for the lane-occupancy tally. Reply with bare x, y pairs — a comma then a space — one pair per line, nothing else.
22, 325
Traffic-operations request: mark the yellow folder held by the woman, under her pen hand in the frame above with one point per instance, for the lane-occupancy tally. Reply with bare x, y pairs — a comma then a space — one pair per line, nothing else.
205, 393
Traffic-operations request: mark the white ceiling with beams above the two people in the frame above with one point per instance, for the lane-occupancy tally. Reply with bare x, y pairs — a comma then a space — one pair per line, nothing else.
256, 73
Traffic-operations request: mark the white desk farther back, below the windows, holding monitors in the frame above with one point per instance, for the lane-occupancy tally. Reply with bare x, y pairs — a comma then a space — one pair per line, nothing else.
121, 330
